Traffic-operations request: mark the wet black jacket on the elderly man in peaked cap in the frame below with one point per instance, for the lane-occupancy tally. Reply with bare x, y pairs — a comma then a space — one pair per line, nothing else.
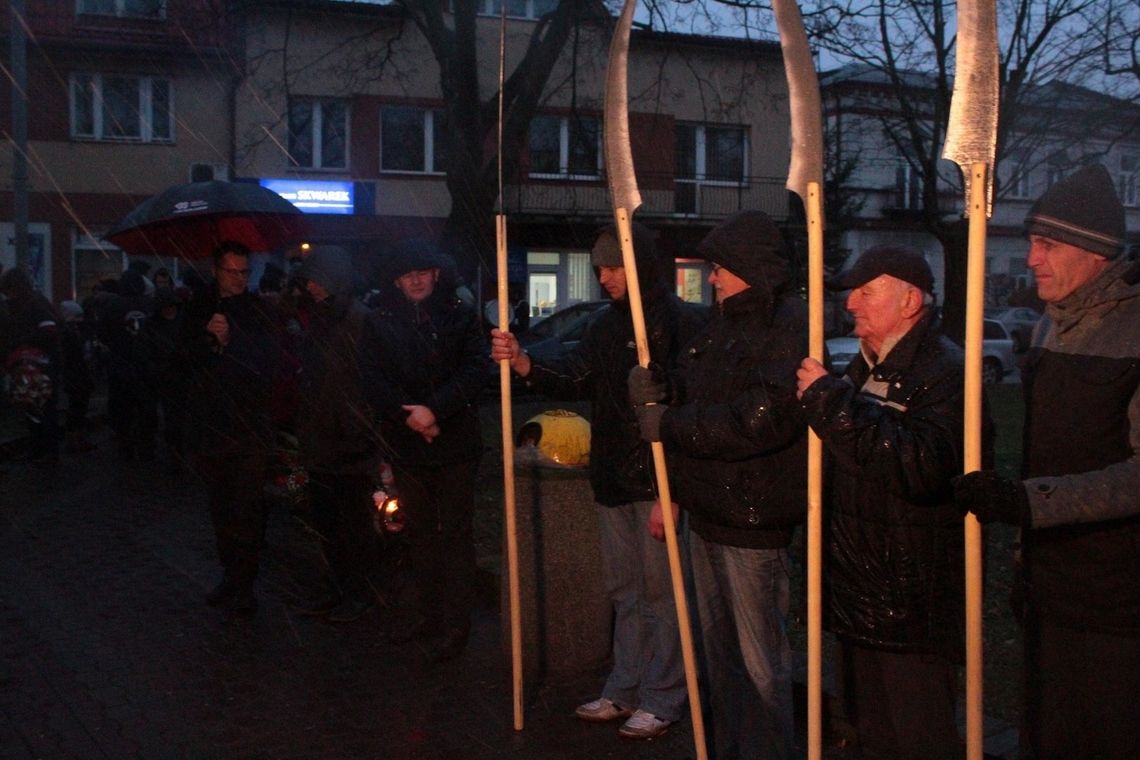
894, 538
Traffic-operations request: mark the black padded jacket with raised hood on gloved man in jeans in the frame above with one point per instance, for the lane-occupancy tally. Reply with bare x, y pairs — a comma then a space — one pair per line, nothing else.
735, 434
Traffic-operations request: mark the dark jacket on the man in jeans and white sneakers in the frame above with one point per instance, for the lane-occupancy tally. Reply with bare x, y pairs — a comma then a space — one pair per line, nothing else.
621, 463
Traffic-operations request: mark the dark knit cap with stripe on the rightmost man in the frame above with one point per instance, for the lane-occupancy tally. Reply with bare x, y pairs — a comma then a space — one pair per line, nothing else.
1081, 210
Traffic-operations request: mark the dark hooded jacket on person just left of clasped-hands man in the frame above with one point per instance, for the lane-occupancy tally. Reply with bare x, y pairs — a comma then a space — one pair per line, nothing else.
335, 424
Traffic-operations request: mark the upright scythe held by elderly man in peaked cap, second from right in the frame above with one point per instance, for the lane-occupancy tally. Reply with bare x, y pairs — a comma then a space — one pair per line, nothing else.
805, 179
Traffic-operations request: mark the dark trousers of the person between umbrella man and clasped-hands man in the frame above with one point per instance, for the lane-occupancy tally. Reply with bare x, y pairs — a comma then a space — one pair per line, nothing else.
343, 511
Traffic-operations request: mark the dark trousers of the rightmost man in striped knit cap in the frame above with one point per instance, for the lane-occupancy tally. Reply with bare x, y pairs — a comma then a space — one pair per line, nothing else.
1082, 694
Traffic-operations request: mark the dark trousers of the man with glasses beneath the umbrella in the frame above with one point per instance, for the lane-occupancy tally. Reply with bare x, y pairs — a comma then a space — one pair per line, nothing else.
234, 484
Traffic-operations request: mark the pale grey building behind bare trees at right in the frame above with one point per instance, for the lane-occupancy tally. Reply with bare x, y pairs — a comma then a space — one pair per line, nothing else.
1060, 129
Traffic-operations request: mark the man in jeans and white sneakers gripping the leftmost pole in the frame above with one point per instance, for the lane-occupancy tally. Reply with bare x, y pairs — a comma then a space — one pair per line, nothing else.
646, 688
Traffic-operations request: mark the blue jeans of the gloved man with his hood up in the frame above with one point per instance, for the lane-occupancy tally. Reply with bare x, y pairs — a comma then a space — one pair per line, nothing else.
743, 608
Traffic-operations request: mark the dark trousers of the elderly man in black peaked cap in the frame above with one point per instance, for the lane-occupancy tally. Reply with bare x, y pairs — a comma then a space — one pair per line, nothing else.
902, 705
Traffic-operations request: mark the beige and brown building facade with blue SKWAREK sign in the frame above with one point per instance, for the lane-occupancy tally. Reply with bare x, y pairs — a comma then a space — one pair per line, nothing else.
336, 105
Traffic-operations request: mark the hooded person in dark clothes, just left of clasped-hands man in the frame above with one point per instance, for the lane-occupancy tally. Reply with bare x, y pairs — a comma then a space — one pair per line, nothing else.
336, 435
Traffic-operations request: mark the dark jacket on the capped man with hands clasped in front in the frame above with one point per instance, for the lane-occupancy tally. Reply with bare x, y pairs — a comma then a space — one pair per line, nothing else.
431, 354
